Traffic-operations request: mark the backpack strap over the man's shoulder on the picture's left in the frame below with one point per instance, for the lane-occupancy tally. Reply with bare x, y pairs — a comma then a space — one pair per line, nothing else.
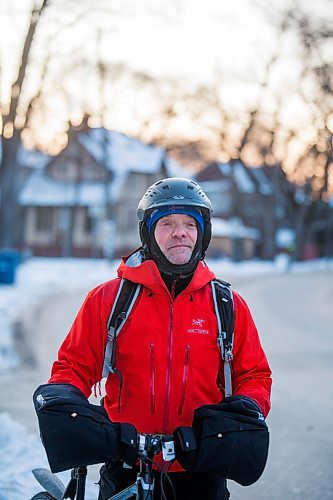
125, 299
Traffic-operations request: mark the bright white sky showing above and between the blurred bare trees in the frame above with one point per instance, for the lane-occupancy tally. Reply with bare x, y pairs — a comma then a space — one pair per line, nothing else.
187, 40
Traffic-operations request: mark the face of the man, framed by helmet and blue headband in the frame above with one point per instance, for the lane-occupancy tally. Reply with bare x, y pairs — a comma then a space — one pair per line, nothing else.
176, 235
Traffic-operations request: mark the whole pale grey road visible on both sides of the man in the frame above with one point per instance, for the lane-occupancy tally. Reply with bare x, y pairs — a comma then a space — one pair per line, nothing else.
294, 314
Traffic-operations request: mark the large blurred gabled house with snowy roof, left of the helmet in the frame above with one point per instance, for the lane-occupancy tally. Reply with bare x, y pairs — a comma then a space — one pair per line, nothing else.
83, 201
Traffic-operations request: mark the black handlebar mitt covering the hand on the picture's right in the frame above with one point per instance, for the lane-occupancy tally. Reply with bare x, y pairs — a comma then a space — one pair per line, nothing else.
230, 438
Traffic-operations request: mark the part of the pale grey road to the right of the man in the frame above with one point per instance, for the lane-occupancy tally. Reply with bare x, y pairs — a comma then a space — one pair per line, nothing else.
294, 314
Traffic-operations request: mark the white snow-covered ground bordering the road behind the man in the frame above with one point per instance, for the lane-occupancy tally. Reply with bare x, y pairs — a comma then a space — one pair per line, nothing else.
37, 280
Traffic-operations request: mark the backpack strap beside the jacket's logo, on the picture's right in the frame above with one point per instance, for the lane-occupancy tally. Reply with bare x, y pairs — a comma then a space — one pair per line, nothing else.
224, 309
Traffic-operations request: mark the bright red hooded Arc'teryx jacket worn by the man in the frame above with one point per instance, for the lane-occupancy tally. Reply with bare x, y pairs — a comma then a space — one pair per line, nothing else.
167, 351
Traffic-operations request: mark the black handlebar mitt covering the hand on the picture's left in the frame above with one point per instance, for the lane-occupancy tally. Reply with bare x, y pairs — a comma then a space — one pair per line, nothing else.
76, 433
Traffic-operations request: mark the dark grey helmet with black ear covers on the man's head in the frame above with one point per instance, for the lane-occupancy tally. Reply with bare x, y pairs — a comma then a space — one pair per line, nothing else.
175, 192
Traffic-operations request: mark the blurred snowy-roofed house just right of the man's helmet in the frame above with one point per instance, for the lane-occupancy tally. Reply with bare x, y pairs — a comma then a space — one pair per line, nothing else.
245, 194
